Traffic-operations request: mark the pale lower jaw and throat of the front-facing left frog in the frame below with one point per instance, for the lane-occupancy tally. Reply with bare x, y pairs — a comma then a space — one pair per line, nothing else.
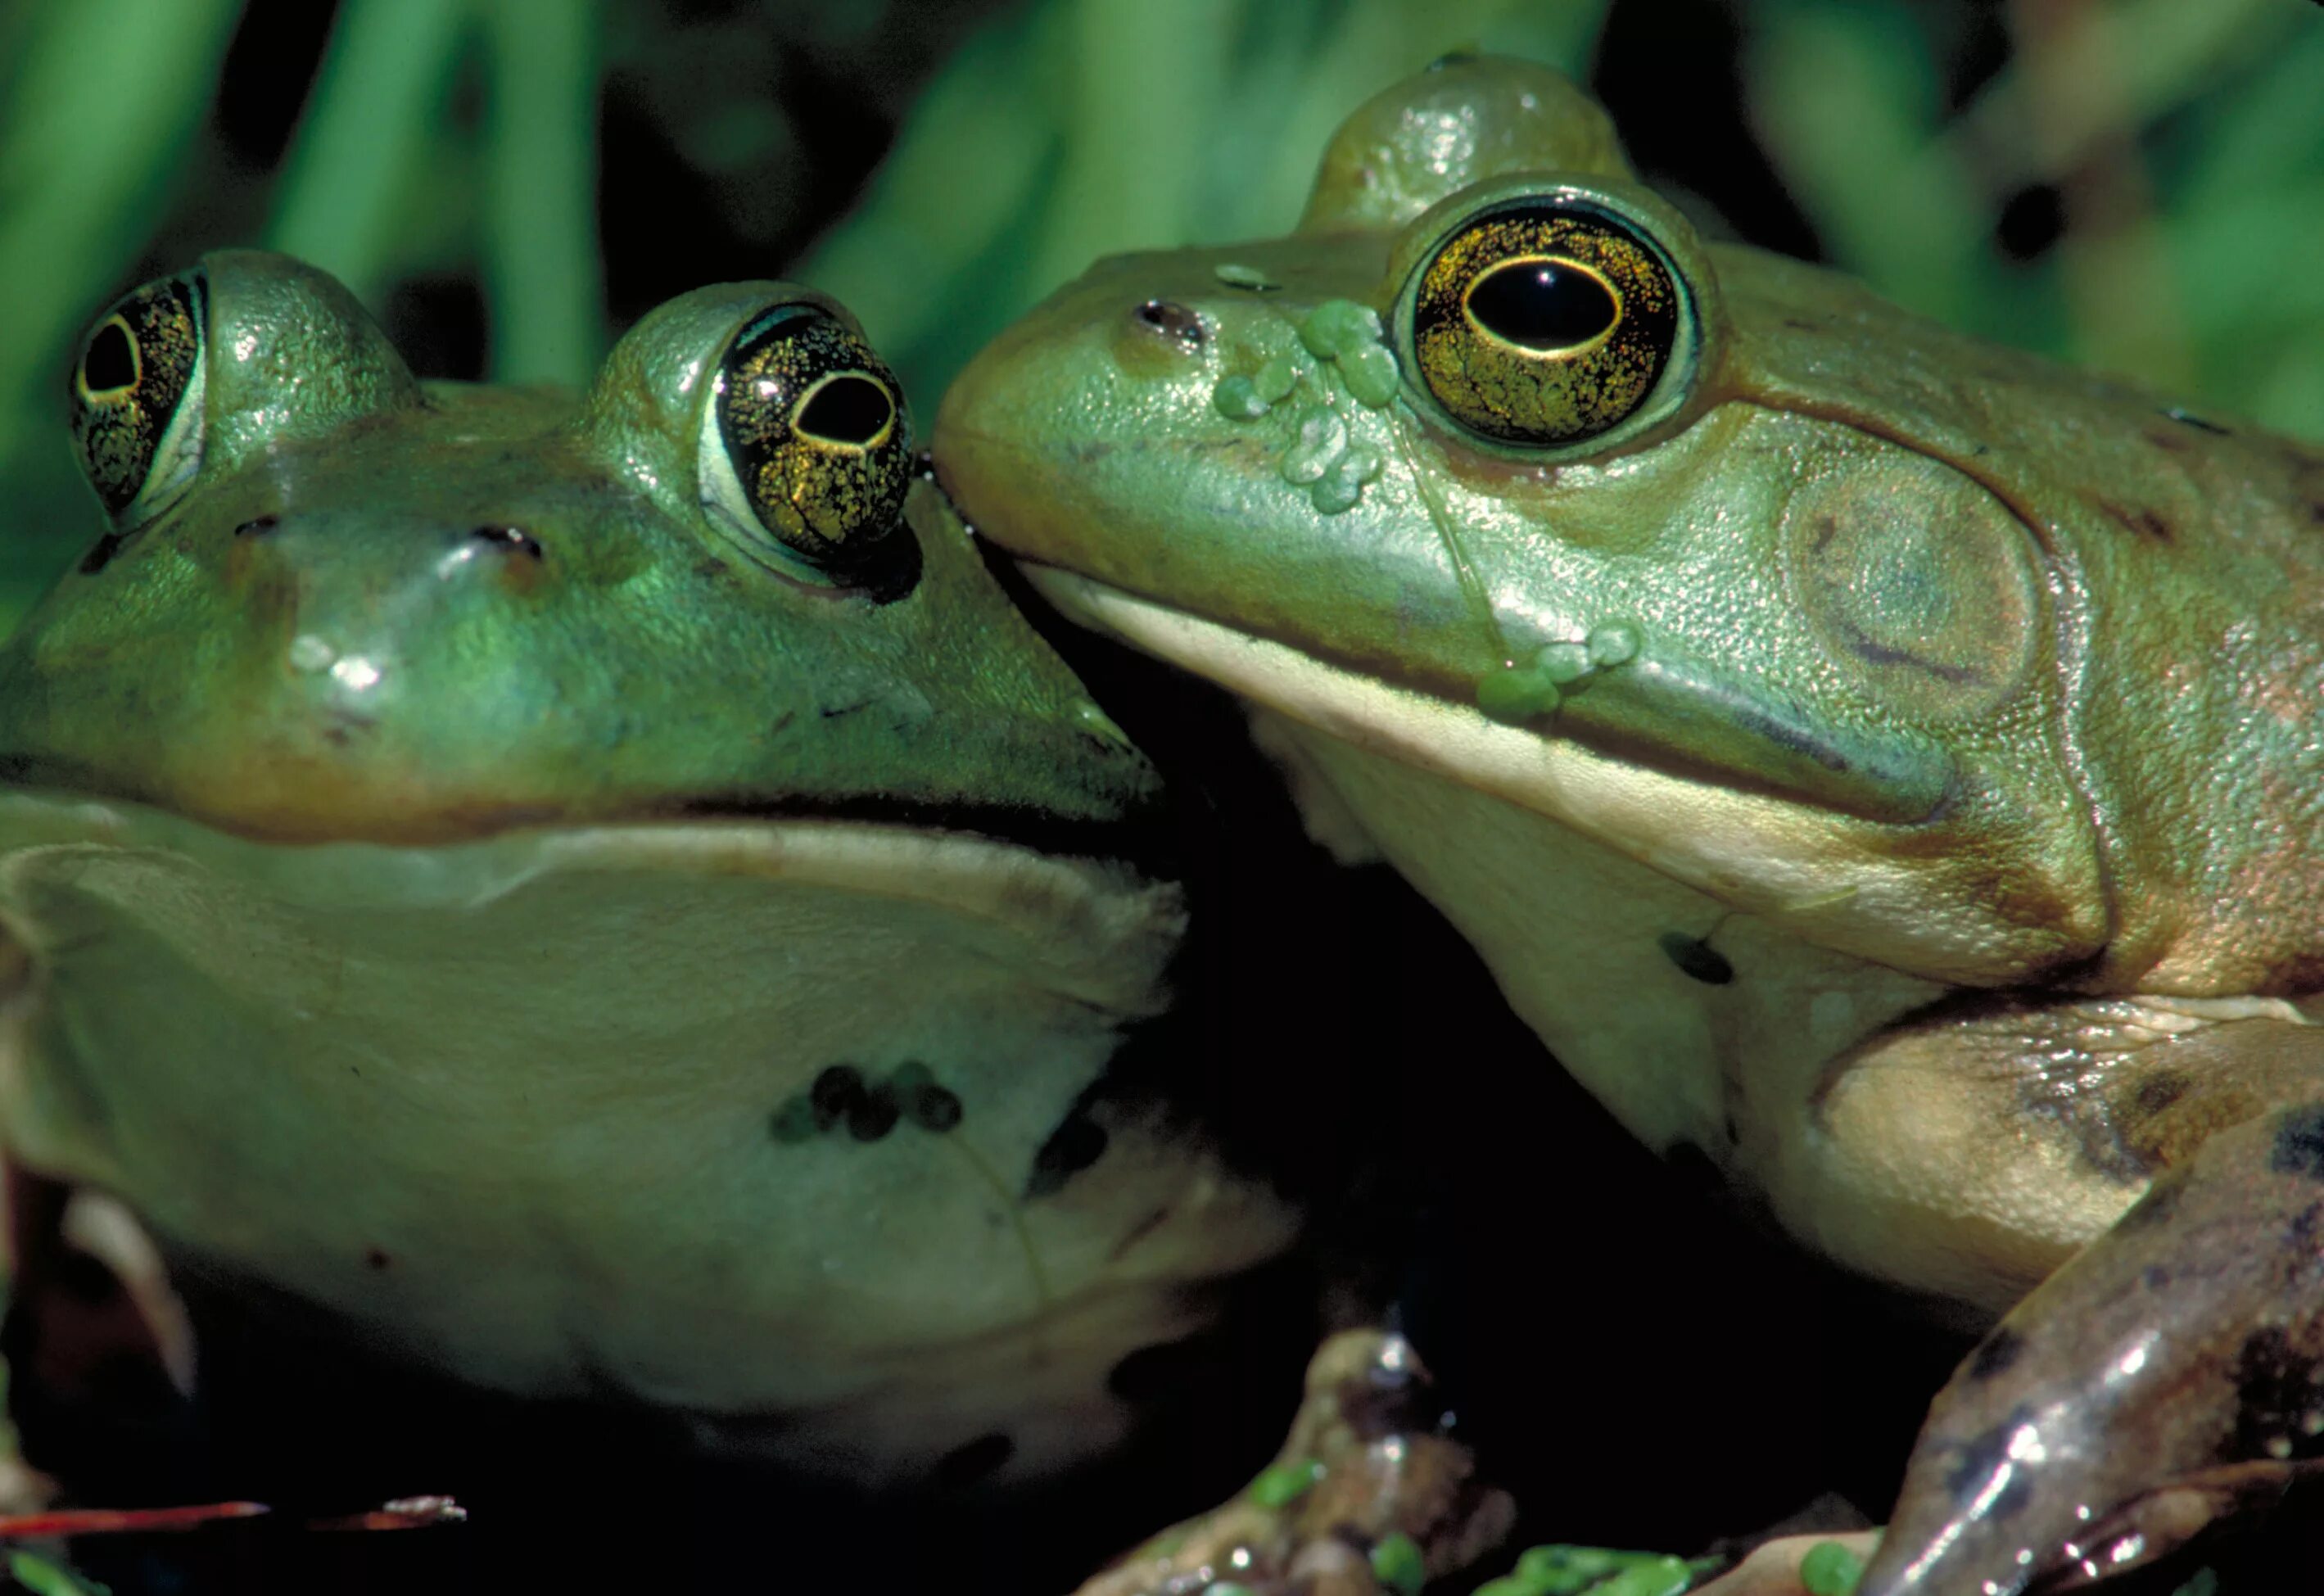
531, 1109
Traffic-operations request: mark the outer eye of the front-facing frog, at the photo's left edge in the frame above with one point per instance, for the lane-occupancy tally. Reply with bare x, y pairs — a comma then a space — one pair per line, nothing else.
138, 398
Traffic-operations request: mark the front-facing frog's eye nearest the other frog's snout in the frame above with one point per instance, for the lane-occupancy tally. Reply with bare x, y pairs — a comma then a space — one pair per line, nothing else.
808, 452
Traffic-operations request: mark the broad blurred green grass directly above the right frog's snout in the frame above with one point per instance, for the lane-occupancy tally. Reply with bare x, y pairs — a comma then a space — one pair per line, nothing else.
1082, 129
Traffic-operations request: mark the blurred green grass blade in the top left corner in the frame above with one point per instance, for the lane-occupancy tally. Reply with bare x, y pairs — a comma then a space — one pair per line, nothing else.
106, 101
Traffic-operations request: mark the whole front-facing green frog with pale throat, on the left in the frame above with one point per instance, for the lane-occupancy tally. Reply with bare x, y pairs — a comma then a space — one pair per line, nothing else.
598, 893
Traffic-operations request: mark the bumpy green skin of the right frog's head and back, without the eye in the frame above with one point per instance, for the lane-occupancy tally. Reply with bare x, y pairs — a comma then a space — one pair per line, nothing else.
1942, 647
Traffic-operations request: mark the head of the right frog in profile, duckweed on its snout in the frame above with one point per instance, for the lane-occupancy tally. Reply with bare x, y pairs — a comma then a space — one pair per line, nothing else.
1500, 470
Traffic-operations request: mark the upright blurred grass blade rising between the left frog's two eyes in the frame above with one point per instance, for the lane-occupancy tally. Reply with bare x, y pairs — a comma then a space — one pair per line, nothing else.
540, 224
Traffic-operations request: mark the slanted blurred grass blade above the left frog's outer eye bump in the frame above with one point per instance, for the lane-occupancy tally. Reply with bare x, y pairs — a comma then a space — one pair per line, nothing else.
375, 108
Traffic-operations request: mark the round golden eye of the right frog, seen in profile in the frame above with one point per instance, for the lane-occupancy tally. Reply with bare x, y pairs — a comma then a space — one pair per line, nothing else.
1547, 322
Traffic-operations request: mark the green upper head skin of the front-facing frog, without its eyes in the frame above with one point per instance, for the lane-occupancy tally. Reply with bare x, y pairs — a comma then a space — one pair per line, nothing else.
371, 670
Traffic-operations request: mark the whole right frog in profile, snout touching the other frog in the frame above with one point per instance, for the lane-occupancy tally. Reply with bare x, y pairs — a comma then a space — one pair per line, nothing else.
1879, 763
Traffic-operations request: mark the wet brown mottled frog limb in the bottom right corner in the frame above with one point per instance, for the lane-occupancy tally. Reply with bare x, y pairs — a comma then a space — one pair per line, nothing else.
2165, 1379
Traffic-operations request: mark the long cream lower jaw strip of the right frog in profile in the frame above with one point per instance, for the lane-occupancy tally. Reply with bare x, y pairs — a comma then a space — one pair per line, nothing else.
1823, 877
